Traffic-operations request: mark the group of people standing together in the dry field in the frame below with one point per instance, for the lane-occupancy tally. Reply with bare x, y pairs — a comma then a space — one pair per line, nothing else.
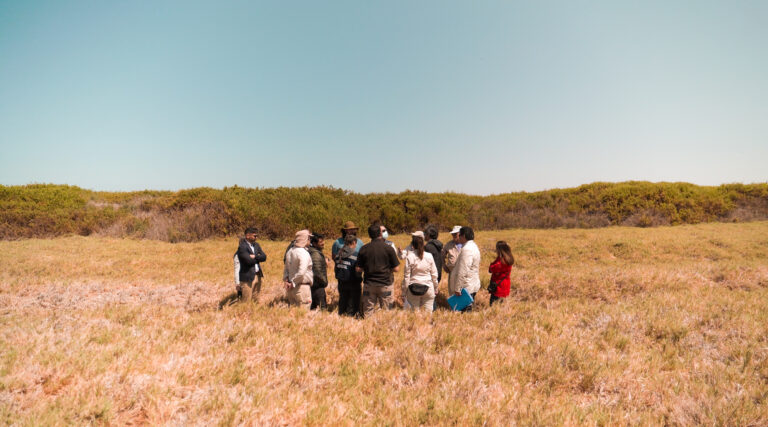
365, 272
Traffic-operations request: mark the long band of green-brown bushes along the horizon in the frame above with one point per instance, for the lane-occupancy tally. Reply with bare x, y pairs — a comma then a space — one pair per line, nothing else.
45, 210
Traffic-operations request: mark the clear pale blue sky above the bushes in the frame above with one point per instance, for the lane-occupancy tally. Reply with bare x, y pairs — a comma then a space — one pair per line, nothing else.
477, 97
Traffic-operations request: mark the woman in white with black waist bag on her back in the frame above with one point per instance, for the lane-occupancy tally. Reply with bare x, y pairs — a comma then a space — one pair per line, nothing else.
420, 276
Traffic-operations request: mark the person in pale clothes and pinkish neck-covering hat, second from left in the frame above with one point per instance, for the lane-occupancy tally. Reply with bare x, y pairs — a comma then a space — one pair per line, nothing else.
297, 274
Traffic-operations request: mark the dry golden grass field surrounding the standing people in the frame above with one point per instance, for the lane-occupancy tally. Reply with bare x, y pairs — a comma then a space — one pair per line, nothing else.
607, 326
